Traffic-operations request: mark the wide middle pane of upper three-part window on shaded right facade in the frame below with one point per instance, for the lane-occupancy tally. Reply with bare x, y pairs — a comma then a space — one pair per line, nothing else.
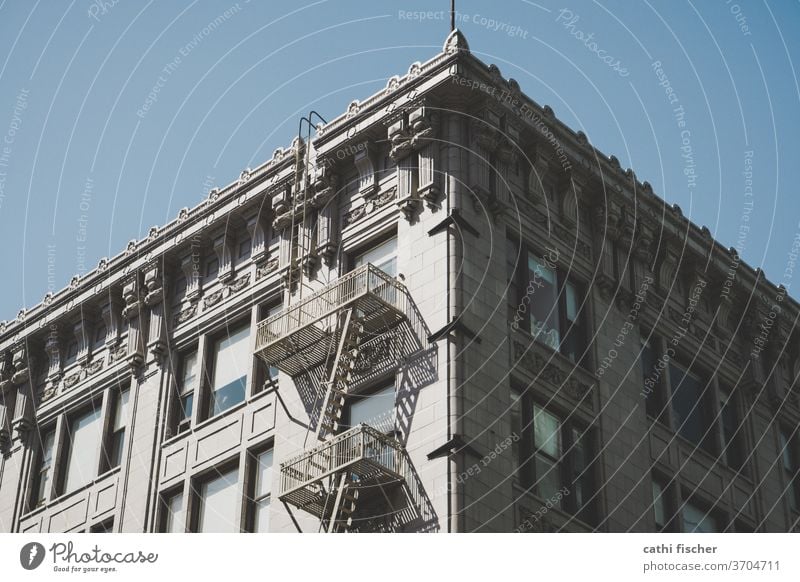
690, 407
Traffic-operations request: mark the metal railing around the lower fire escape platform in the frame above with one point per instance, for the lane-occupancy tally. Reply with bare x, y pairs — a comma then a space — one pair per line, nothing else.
360, 443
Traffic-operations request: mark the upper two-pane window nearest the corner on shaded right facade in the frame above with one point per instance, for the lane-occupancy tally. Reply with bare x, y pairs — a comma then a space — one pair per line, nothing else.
547, 303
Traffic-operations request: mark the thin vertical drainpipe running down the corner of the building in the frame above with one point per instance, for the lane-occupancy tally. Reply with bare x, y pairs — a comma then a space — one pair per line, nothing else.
455, 177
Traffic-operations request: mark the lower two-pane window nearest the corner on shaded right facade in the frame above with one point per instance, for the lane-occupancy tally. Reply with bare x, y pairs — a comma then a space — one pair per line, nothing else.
553, 456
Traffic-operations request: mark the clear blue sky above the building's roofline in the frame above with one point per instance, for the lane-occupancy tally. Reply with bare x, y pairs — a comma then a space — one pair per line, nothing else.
116, 114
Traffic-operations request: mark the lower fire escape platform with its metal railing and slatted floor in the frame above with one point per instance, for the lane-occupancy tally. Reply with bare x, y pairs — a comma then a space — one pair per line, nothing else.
371, 458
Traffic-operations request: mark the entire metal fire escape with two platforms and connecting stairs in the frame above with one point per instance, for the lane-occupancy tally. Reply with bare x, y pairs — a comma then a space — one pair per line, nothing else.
331, 337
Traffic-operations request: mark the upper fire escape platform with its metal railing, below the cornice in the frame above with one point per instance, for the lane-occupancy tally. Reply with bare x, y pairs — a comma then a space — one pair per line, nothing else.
302, 336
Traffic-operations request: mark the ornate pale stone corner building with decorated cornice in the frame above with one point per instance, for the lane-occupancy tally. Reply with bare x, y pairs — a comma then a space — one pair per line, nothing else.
445, 312
